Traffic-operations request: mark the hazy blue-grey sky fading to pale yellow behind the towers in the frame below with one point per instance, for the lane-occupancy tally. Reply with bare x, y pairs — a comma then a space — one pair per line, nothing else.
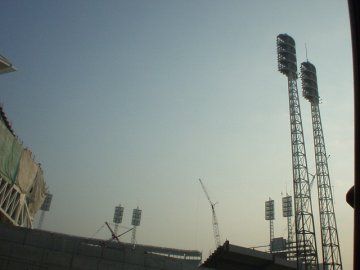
133, 101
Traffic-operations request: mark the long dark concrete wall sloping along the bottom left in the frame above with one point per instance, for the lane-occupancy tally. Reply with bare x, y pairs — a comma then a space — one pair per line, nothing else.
22, 248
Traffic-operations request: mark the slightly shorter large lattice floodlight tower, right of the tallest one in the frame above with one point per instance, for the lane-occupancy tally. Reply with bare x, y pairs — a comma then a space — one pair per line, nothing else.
329, 234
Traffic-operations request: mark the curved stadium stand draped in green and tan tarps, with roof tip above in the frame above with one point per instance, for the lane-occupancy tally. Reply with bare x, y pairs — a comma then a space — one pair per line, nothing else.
22, 185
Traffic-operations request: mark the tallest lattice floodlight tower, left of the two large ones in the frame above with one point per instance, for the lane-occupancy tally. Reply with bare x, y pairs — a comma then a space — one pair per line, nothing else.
306, 250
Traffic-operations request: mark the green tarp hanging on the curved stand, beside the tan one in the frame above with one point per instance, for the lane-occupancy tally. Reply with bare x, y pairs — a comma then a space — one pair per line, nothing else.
10, 153
